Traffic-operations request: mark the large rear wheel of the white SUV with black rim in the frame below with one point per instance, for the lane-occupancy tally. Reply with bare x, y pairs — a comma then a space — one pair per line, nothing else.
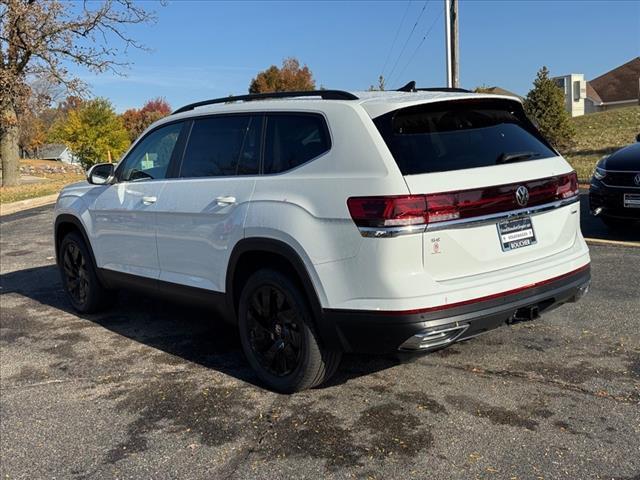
278, 336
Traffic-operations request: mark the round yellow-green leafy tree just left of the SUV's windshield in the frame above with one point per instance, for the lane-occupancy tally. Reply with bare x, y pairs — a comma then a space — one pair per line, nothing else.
94, 132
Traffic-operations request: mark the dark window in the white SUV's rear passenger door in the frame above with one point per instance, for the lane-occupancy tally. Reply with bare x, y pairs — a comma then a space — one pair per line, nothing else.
222, 146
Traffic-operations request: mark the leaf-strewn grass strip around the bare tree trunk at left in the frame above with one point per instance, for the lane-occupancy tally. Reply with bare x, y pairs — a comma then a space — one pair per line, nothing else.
53, 184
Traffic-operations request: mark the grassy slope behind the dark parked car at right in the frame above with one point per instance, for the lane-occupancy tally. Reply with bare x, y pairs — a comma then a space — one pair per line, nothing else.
598, 134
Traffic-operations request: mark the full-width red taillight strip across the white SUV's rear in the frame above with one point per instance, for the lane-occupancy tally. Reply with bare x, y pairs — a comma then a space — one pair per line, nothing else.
411, 210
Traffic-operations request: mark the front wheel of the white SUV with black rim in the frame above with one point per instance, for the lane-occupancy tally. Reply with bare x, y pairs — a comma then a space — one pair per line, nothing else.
79, 277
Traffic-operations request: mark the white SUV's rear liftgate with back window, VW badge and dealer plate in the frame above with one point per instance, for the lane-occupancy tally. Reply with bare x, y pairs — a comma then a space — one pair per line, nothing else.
497, 194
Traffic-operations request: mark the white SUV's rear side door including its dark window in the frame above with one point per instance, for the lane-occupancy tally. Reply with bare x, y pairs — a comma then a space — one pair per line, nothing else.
201, 213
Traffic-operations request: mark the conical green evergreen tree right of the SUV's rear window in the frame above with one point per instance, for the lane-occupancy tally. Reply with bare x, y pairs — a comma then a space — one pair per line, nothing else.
545, 105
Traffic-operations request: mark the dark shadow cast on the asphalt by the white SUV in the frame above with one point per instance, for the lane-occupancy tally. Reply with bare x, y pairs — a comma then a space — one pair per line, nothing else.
185, 331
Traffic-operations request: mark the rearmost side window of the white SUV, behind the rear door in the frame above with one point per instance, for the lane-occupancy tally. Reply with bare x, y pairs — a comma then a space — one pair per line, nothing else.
294, 139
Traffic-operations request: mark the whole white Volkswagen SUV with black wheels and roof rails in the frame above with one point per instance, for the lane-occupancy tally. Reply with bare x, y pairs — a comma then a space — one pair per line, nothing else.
329, 222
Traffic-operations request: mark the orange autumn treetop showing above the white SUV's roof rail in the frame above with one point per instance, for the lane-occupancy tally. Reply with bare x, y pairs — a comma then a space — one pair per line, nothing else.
289, 78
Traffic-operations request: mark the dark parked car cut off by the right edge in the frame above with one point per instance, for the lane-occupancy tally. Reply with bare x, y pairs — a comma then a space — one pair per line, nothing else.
614, 193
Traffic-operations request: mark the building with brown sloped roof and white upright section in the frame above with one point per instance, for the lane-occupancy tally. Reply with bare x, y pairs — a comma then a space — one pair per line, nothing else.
617, 88
